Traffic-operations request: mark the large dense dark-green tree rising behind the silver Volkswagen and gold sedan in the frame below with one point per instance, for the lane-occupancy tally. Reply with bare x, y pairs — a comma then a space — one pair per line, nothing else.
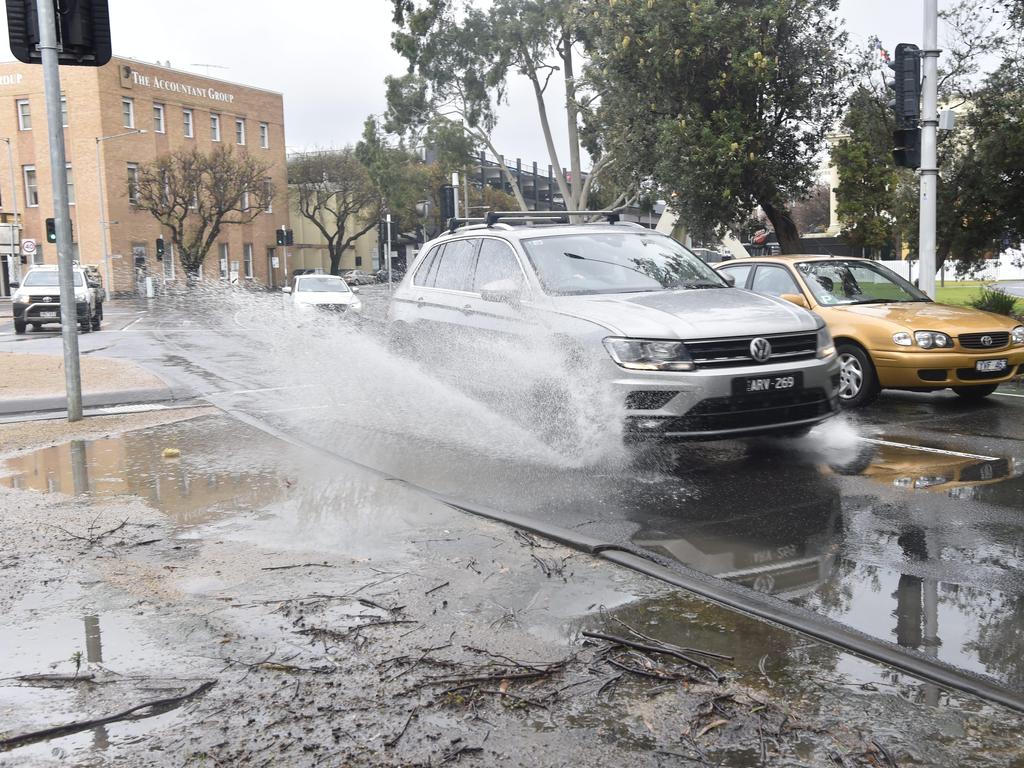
726, 105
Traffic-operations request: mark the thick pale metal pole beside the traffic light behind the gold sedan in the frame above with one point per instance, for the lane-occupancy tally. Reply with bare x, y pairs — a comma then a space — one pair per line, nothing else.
929, 154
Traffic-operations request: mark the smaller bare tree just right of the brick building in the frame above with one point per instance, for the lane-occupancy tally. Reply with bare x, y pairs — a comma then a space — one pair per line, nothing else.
337, 195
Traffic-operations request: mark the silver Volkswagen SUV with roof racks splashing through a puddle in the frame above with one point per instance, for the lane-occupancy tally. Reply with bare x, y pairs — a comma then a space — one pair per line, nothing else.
686, 355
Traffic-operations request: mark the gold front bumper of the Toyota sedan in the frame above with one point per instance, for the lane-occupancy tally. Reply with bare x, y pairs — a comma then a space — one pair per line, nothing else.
920, 368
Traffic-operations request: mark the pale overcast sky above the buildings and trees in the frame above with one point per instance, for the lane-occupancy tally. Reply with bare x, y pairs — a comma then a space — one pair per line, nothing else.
330, 58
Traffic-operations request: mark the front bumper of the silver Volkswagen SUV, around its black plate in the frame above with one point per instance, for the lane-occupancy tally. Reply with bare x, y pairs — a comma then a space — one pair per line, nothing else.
701, 405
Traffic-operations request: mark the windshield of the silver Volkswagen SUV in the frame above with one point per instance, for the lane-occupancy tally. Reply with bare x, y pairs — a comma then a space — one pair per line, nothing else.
614, 263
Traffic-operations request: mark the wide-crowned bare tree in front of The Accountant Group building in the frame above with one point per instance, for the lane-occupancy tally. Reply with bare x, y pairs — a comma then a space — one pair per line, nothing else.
195, 195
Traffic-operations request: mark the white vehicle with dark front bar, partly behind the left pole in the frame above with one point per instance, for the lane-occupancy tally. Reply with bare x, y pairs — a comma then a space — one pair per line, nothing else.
37, 301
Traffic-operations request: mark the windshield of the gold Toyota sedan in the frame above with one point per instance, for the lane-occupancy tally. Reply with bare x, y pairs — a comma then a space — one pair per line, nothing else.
837, 282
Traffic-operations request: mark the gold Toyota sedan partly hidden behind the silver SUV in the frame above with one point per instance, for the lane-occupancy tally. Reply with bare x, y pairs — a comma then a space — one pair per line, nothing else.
888, 334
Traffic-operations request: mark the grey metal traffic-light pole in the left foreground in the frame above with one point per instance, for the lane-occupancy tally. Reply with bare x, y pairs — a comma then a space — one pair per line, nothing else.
59, 178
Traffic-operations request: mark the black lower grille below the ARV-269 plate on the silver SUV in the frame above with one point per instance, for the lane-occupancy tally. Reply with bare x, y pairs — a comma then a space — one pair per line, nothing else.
764, 410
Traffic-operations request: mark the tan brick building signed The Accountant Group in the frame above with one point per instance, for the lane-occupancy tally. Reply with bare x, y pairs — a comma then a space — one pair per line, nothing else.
139, 112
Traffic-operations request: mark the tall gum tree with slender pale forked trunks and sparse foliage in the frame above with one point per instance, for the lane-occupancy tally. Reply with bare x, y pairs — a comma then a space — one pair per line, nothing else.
461, 58
